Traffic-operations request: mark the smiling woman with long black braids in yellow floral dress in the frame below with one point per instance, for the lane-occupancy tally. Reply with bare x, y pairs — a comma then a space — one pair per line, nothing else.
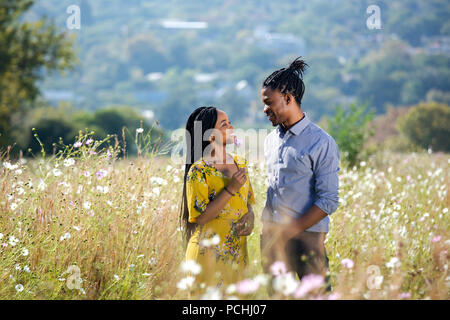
217, 198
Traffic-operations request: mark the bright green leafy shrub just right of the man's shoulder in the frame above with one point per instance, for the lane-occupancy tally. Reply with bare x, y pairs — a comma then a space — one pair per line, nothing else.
350, 129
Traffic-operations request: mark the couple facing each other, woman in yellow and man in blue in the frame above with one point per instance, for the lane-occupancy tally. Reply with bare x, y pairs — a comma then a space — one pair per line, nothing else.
303, 164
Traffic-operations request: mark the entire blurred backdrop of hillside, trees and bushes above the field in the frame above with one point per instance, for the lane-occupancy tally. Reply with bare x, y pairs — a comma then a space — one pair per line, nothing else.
377, 78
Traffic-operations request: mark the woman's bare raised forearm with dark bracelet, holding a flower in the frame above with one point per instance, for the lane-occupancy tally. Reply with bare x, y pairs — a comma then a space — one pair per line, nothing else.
215, 206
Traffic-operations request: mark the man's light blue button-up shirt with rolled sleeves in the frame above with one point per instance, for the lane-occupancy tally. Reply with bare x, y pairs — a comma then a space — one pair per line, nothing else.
303, 166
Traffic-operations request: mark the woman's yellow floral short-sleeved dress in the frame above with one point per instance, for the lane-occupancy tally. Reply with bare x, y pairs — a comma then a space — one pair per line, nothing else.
225, 261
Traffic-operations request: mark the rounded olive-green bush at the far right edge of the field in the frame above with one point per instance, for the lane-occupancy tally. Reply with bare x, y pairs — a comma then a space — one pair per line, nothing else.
427, 125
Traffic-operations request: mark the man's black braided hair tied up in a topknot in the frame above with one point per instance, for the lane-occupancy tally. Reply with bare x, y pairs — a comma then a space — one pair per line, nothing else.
289, 80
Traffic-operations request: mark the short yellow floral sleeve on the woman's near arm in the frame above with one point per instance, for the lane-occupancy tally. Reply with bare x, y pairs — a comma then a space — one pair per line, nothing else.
196, 193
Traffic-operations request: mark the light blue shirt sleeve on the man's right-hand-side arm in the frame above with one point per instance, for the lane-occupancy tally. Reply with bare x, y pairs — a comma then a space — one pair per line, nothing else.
326, 168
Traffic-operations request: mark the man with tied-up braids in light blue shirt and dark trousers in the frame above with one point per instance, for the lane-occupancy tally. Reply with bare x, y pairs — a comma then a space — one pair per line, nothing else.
303, 166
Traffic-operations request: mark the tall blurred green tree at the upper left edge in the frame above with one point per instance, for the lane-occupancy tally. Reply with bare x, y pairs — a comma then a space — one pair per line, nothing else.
26, 50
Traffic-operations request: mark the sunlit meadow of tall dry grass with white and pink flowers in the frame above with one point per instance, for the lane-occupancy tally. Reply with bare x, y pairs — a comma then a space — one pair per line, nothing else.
117, 221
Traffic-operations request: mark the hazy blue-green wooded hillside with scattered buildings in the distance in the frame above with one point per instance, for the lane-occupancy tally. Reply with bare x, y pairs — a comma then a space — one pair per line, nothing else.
171, 56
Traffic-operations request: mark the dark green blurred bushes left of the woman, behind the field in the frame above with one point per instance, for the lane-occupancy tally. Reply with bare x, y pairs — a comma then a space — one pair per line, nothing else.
50, 129
